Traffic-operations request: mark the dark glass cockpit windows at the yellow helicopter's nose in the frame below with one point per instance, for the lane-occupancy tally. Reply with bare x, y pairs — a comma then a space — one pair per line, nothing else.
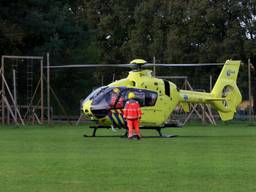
107, 98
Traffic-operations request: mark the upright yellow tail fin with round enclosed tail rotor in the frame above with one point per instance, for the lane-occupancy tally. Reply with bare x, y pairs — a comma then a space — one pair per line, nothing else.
226, 88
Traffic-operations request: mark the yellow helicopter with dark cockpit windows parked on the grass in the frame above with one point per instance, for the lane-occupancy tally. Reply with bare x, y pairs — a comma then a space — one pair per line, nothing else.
157, 97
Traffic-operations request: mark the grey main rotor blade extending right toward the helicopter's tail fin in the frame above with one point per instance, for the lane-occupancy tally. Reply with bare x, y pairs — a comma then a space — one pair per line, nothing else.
182, 64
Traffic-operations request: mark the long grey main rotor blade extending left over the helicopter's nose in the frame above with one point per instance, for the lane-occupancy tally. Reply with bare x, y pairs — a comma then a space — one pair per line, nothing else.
88, 65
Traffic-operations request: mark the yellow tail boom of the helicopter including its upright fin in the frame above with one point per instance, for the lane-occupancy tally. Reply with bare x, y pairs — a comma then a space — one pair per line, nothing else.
225, 96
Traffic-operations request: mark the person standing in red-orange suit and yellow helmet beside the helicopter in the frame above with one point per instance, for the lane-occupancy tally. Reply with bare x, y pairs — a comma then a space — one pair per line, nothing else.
132, 114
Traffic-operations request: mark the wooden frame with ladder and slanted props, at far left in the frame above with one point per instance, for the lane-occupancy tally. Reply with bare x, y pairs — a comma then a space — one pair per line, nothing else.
7, 106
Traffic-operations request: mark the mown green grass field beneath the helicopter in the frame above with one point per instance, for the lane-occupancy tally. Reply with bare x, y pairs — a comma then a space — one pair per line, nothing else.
58, 158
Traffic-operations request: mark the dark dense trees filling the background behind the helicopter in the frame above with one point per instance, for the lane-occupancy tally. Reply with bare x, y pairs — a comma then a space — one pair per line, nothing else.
117, 31
